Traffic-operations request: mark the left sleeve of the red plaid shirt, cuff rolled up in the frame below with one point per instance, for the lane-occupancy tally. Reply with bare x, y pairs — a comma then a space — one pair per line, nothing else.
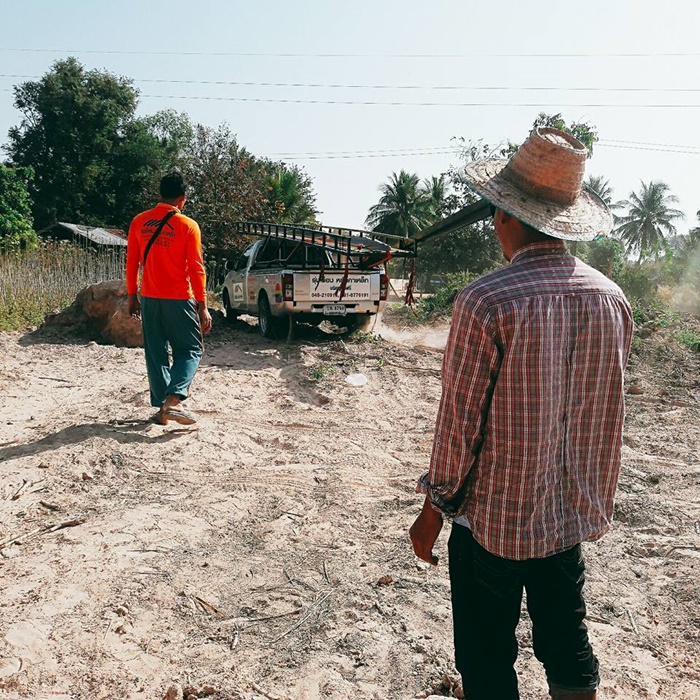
469, 373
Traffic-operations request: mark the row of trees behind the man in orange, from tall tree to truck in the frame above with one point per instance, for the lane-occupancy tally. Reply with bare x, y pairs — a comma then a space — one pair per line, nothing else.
97, 164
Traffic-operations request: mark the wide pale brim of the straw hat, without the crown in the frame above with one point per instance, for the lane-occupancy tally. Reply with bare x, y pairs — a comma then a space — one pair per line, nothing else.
584, 220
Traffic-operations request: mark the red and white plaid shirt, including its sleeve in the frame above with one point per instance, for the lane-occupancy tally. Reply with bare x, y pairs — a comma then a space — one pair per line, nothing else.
529, 430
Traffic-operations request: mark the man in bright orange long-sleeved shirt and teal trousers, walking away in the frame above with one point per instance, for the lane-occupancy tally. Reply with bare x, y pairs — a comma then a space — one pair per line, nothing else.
167, 246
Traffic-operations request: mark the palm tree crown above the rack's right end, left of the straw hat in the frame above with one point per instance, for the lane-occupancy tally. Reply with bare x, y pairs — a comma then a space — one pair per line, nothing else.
403, 209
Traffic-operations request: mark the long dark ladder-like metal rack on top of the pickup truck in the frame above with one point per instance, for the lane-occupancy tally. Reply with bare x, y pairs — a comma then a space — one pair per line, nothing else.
372, 246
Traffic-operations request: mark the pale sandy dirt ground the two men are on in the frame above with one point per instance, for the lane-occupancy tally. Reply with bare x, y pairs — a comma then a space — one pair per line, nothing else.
264, 552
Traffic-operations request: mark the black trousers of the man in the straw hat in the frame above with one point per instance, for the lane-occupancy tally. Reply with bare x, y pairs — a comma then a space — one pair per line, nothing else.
486, 599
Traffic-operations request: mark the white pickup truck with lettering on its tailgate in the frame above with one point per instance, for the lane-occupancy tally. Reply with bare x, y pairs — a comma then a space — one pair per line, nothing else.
282, 281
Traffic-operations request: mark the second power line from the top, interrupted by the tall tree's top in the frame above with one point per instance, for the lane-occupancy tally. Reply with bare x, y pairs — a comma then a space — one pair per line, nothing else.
356, 86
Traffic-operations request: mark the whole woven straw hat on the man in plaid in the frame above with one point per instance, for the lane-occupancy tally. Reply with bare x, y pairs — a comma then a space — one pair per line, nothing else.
542, 185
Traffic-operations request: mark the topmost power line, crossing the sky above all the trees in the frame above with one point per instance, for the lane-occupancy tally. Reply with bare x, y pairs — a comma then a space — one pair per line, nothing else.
252, 54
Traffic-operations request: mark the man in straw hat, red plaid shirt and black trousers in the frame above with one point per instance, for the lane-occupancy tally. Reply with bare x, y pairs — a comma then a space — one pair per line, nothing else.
527, 444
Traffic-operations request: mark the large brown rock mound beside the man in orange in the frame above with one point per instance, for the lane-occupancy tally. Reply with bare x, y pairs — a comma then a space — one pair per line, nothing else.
100, 311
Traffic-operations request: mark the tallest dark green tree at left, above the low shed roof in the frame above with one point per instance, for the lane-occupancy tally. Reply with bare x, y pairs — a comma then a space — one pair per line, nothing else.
74, 123
